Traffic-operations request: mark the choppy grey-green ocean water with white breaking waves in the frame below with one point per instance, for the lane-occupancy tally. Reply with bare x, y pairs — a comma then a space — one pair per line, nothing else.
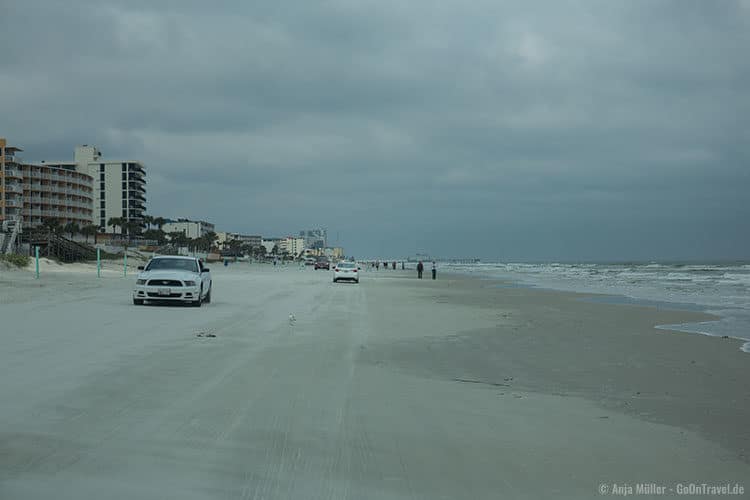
722, 289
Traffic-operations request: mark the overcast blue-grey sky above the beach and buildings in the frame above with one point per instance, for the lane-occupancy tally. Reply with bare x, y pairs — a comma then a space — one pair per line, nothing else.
502, 130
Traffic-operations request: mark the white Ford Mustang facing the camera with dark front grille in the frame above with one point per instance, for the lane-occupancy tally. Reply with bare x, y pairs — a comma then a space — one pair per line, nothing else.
175, 279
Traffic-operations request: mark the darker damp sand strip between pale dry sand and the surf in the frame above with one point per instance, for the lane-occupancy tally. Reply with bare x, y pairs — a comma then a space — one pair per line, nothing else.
551, 342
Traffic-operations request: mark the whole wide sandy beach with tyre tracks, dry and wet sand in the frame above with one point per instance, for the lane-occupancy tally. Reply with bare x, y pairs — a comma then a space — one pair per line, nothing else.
394, 388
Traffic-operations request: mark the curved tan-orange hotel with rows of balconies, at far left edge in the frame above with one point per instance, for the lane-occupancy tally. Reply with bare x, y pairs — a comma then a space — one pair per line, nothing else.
32, 192
